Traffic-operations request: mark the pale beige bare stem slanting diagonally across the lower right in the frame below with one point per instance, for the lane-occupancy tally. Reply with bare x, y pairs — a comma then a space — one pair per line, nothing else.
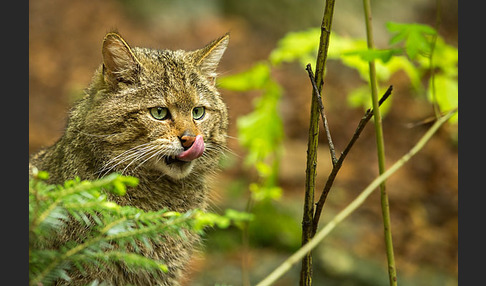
294, 258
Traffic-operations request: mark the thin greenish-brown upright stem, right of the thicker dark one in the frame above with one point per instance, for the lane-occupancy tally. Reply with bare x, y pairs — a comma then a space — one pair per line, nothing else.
380, 144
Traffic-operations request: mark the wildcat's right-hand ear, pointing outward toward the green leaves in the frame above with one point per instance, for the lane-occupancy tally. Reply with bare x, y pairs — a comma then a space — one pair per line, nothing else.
208, 58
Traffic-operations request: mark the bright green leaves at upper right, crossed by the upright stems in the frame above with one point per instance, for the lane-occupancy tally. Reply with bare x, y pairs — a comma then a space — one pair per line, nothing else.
412, 46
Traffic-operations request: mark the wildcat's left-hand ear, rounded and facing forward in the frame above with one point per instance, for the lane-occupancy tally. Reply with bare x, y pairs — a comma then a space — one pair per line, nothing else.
119, 62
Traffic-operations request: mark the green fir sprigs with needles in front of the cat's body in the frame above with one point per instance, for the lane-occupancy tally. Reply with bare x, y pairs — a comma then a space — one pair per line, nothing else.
110, 229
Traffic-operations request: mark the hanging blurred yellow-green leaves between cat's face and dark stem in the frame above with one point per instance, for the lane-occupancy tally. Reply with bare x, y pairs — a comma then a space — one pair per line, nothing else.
261, 131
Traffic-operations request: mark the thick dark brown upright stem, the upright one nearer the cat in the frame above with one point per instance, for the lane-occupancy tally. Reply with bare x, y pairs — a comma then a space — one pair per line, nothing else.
307, 220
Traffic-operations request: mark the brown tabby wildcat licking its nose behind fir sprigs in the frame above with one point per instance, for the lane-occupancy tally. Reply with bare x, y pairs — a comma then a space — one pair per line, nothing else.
155, 115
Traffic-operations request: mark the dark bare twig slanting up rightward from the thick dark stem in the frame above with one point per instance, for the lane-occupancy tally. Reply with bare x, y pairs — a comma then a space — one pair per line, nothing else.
330, 180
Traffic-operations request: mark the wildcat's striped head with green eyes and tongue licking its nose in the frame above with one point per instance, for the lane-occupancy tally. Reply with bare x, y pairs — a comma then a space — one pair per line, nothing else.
157, 109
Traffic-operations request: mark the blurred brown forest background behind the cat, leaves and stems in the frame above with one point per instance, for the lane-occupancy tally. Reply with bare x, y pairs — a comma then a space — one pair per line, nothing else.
65, 49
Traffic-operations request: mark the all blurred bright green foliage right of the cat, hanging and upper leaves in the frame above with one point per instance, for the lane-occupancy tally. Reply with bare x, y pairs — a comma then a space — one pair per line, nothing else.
412, 49
